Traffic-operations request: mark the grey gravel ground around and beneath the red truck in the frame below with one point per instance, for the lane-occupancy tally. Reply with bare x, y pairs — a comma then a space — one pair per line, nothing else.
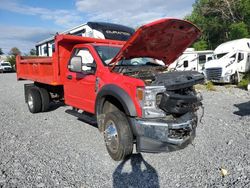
54, 149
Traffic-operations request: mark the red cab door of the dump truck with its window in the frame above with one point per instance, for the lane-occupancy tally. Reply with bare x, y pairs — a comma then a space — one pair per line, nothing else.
79, 88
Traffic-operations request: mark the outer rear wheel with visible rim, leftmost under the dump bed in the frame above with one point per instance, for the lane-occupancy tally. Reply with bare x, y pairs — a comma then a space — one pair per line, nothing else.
34, 100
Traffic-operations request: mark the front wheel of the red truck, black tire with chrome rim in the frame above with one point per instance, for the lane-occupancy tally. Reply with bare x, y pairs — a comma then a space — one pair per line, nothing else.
118, 136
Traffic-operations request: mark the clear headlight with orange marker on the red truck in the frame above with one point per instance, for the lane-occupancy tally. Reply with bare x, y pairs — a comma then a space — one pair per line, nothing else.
149, 98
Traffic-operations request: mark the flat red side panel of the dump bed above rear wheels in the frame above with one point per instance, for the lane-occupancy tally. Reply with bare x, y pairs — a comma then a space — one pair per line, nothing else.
38, 69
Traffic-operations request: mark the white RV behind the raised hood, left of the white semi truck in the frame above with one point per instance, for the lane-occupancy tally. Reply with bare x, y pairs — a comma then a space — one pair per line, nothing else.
192, 60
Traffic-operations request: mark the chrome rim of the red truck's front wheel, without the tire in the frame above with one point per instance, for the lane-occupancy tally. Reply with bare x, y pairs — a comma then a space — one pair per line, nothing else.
111, 136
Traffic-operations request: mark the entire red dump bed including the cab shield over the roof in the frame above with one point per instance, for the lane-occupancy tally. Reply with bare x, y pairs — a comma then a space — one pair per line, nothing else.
52, 70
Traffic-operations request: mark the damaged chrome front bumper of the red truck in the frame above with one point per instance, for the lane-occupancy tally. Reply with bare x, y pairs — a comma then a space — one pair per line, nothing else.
165, 135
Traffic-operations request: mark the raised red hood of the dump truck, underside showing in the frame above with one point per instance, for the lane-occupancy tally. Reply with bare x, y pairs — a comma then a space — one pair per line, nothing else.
164, 39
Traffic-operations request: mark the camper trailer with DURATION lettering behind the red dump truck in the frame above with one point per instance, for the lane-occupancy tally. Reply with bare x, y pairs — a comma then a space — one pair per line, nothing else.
99, 30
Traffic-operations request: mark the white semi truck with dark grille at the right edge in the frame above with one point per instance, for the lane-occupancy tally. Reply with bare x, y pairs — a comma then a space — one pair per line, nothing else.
231, 59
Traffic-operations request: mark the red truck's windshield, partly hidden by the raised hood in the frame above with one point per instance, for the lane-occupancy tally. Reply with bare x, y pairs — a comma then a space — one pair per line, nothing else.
107, 53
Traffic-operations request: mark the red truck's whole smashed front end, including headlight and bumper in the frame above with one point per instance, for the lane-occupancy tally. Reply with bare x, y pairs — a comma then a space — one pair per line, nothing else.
169, 106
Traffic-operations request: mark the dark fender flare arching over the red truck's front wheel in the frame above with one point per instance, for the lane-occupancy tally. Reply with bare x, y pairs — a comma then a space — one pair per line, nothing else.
120, 95
